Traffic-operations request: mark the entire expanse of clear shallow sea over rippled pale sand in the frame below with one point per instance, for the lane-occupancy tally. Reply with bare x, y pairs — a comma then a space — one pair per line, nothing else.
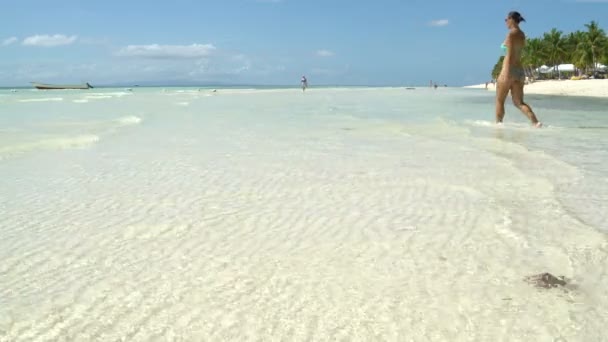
271, 214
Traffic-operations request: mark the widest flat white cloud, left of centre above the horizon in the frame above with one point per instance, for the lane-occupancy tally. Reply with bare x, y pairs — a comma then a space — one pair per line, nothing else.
167, 51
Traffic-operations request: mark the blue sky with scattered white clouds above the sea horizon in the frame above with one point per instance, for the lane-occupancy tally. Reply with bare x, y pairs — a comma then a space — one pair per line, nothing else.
274, 42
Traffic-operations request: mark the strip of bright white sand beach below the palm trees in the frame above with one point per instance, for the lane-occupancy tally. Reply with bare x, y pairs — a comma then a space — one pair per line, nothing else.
592, 88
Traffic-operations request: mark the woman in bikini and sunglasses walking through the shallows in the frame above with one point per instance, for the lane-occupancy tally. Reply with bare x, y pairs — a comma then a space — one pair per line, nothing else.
512, 76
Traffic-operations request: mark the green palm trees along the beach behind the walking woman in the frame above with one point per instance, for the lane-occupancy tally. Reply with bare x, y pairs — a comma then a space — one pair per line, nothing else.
582, 48
